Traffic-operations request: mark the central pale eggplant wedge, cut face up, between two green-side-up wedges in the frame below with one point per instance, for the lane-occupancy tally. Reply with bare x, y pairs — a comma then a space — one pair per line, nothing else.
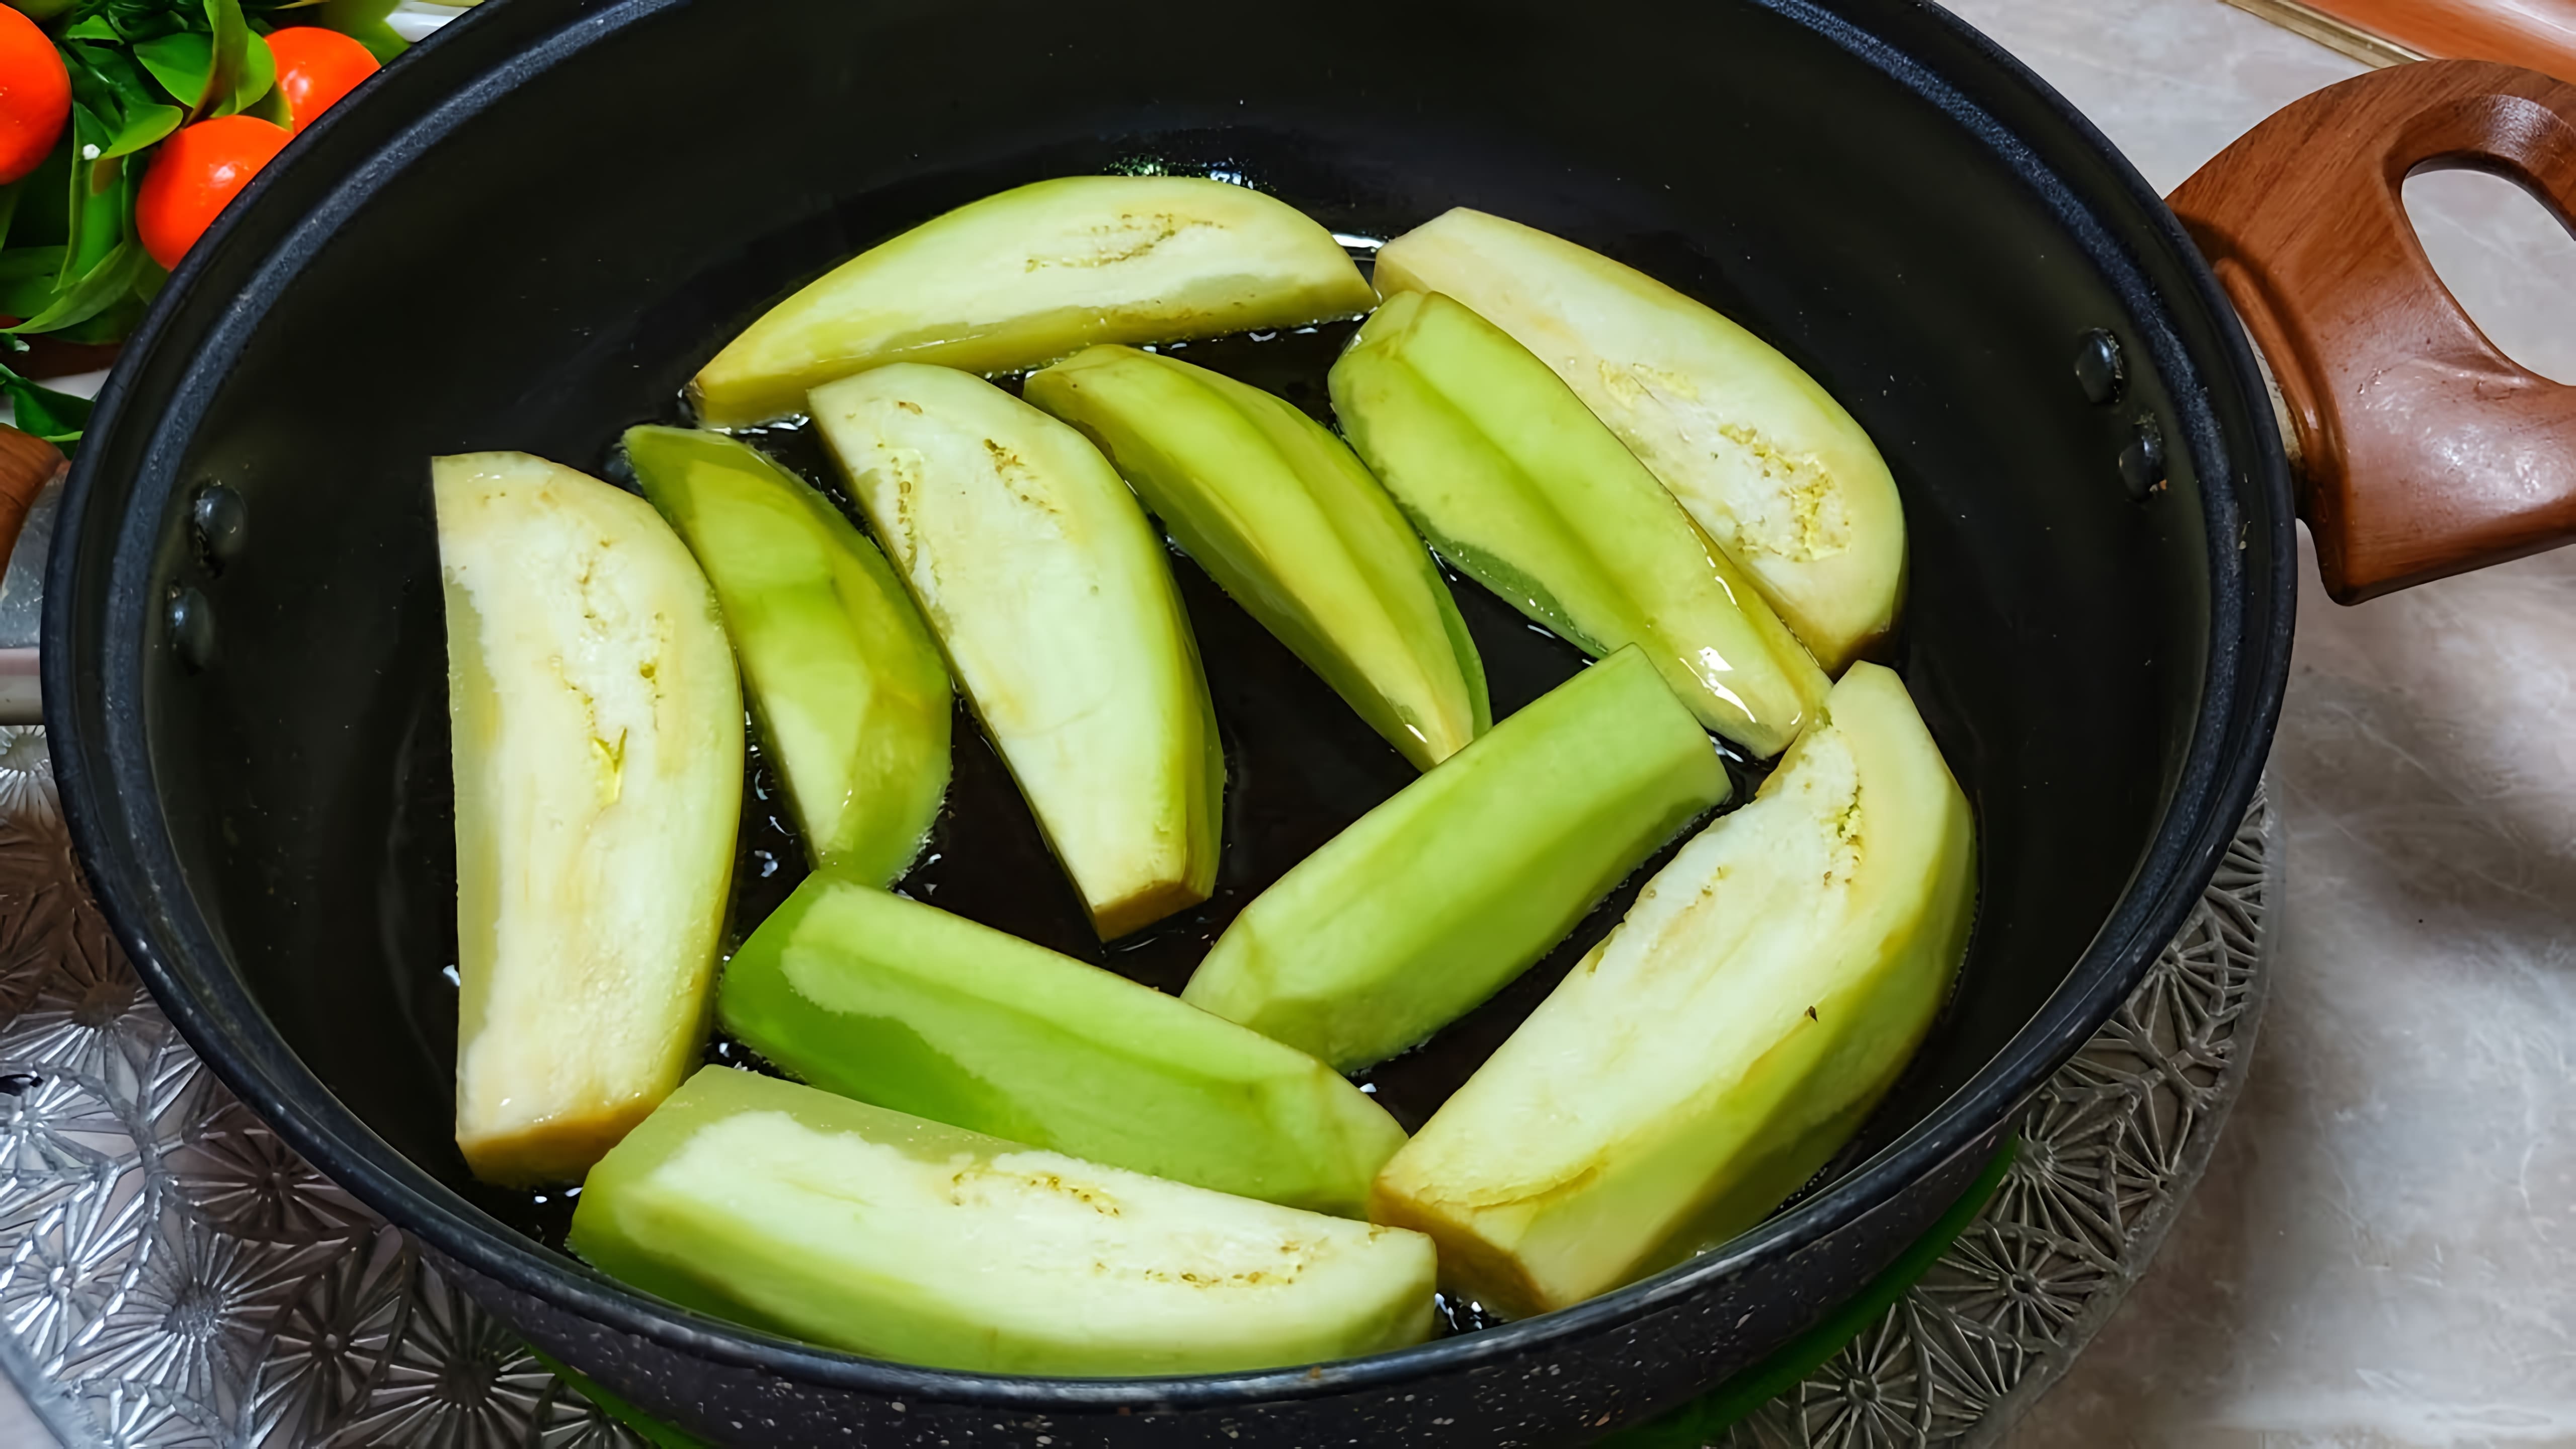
1063, 625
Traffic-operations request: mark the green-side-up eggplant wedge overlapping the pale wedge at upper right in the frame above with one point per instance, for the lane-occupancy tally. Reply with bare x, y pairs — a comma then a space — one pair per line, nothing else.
1524, 489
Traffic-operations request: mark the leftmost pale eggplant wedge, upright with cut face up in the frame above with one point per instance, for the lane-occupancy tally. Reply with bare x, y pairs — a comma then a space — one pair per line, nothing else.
599, 783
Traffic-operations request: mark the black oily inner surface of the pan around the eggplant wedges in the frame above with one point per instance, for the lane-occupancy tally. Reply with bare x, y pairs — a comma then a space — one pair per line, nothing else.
560, 262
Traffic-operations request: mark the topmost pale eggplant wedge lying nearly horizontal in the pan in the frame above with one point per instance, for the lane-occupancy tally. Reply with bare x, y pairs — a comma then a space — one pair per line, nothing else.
1037, 275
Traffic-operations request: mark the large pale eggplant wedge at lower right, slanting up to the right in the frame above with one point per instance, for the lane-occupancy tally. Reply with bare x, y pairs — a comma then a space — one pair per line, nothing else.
1714, 1051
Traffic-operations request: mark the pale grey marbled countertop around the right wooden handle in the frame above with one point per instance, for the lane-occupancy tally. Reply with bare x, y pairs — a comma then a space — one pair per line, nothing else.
2384, 1252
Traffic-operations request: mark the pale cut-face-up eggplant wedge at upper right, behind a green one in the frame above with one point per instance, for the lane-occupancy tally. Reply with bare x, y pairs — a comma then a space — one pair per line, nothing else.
1756, 450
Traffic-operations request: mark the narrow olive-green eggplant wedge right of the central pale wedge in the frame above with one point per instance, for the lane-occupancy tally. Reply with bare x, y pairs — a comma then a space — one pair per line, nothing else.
1294, 530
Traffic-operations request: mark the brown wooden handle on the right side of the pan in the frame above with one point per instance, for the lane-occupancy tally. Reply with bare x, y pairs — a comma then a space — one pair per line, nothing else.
2423, 447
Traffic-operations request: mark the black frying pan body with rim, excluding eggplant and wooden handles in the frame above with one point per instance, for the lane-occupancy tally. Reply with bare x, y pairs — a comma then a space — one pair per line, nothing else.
532, 231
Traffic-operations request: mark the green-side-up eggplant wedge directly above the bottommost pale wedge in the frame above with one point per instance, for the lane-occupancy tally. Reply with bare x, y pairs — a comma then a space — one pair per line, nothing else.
908, 1007
